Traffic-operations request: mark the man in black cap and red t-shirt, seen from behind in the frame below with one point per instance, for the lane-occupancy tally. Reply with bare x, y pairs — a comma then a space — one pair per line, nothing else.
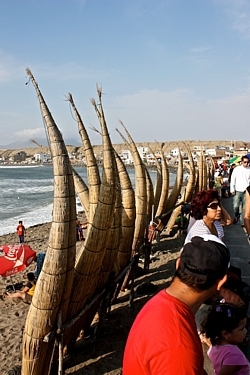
163, 338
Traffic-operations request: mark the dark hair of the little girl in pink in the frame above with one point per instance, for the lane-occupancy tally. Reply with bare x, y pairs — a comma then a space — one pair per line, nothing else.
222, 317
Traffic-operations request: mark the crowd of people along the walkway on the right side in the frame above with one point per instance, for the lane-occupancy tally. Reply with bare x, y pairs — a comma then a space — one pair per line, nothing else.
164, 338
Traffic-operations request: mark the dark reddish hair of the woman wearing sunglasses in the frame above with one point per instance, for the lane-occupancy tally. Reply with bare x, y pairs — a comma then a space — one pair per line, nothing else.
200, 202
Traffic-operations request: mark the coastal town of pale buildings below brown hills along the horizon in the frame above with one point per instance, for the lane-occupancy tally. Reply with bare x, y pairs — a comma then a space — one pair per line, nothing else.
219, 151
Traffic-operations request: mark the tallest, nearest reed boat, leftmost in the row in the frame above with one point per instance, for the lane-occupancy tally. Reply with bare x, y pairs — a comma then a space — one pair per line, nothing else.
56, 278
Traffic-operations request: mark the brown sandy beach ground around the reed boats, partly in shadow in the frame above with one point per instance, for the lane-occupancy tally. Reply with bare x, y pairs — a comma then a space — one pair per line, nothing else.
91, 356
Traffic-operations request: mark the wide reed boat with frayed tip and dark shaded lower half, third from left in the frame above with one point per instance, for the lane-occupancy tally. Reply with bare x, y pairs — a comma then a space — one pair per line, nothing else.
90, 257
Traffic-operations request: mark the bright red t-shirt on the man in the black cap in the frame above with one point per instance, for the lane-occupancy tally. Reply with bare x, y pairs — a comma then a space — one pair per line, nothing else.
163, 340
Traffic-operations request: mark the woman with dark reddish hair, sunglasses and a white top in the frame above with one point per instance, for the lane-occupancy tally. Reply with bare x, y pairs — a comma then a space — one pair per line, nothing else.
207, 211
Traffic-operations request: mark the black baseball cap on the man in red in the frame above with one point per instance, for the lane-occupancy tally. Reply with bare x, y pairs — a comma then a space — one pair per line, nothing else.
205, 257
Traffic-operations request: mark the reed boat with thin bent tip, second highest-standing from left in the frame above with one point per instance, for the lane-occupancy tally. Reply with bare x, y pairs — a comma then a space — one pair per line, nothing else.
94, 181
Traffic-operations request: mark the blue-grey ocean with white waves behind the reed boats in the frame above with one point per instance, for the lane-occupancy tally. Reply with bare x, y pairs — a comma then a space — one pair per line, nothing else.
27, 195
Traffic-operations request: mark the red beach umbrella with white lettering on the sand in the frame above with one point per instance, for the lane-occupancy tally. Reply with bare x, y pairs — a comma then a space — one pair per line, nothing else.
15, 258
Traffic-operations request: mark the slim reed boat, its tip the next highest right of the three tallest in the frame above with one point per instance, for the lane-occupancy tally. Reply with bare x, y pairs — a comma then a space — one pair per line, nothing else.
140, 193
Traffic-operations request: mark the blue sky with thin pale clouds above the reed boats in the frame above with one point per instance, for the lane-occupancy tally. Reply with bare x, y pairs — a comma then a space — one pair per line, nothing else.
169, 69
